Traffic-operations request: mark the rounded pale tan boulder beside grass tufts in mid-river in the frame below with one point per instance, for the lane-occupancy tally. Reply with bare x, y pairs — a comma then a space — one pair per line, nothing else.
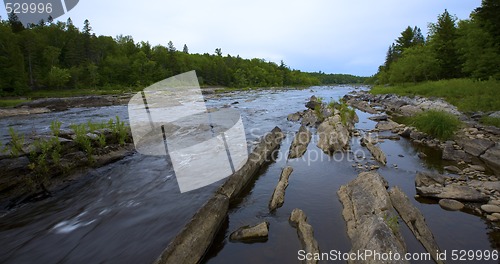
333, 135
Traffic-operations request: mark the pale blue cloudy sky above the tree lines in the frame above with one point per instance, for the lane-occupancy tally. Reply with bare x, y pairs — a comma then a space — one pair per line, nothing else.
332, 36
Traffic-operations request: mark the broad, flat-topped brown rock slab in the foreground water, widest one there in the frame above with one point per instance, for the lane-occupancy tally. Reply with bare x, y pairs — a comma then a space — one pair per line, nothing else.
367, 208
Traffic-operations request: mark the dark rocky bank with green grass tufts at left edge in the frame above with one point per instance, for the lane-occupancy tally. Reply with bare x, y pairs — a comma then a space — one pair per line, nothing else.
35, 166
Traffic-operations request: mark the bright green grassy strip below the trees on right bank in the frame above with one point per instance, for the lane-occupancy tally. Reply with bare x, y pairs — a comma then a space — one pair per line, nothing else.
466, 94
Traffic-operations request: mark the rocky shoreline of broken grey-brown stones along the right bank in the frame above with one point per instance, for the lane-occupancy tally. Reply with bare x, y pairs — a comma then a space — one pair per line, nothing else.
474, 151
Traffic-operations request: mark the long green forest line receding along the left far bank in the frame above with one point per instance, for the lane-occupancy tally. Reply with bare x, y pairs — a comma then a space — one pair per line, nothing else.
58, 55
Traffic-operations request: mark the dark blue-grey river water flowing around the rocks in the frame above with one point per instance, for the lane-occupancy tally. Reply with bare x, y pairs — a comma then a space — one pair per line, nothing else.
128, 211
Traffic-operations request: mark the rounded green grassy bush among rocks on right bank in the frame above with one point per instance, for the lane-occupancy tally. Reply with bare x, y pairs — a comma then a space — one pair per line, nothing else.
438, 124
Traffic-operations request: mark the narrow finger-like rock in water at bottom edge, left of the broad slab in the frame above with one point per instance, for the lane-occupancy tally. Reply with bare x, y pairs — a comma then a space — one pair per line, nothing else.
298, 219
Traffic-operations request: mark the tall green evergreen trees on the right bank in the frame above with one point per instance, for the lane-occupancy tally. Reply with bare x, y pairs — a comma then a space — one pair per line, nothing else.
453, 49
